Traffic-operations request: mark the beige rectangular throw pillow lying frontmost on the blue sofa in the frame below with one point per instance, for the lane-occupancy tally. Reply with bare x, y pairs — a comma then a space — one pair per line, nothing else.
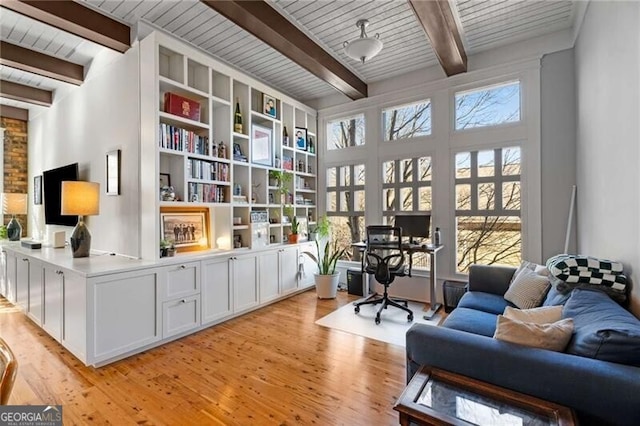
553, 337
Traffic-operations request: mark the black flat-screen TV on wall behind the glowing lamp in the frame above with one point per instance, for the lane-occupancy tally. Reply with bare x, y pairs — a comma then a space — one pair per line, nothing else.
52, 191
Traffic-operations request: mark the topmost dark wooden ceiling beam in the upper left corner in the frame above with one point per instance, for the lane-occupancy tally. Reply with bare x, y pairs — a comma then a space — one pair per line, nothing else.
76, 19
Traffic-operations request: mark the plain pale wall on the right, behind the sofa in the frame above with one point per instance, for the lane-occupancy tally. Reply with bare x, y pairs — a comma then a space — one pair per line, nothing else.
608, 135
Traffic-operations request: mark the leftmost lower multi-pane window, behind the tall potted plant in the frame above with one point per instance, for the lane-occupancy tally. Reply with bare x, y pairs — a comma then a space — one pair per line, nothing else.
346, 204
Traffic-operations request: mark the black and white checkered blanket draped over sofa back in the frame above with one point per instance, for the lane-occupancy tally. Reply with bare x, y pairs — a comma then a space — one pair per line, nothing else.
588, 270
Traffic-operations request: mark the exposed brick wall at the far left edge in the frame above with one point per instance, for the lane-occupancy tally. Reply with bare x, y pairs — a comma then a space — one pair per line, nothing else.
15, 162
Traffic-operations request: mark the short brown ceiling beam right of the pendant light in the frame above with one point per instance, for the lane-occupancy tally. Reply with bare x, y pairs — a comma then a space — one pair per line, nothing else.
438, 22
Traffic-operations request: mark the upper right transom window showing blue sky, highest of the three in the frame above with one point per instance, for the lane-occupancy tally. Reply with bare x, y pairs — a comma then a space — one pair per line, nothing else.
489, 106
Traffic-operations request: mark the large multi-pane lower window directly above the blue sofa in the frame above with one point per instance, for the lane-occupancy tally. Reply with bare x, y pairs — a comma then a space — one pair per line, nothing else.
488, 204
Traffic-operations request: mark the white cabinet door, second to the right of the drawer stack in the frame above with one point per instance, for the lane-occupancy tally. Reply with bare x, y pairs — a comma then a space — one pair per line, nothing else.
245, 281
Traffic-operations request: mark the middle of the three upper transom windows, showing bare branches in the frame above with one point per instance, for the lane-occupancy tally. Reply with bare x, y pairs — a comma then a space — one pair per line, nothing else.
408, 121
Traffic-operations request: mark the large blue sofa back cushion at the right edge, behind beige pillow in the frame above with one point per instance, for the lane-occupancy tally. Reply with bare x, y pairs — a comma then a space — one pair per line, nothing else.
603, 329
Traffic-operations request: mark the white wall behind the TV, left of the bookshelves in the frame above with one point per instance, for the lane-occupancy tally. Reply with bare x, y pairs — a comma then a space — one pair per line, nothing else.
81, 126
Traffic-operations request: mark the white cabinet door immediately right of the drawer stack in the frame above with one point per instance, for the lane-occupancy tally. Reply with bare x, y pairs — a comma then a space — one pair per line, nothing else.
216, 290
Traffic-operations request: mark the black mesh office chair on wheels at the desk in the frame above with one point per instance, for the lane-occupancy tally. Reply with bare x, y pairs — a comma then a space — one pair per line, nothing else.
384, 258
